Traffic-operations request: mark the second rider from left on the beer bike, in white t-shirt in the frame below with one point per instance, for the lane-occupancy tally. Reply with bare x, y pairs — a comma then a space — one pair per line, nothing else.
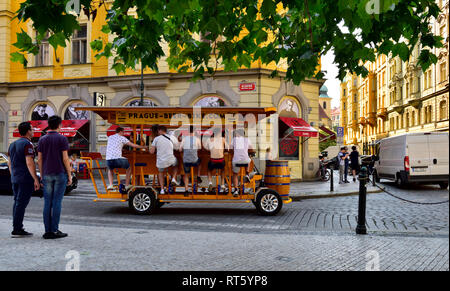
164, 145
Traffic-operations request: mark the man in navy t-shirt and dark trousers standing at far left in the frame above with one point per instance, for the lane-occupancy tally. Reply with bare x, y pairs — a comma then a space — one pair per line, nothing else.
24, 179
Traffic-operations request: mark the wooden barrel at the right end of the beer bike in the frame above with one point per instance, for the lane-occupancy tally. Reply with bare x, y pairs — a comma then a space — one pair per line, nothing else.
277, 177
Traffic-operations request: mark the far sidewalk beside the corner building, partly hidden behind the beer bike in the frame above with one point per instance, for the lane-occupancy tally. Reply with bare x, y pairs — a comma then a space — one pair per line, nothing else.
299, 190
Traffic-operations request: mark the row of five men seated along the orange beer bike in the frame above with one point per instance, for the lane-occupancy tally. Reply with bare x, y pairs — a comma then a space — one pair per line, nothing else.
164, 146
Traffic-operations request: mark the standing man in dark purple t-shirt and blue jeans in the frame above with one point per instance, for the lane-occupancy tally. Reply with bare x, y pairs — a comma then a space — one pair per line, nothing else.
54, 163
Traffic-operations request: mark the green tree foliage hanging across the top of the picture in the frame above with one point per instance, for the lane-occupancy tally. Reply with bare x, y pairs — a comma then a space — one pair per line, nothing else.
240, 32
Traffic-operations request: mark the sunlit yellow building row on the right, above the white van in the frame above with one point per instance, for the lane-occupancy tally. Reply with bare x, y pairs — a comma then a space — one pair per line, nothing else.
397, 97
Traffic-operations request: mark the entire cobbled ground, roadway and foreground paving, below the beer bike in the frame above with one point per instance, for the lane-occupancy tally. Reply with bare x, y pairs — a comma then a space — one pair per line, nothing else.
311, 234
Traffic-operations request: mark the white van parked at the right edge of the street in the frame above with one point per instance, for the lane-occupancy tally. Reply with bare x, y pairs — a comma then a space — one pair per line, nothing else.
414, 157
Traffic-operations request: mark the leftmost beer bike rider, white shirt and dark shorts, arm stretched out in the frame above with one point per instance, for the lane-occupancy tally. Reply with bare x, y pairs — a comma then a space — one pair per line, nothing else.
114, 159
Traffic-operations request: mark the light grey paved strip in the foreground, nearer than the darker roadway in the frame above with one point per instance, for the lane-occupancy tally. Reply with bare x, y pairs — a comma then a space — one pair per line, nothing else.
143, 249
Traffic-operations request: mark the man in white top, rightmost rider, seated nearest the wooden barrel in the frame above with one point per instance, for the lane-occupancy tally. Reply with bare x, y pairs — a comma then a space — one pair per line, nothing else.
241, 146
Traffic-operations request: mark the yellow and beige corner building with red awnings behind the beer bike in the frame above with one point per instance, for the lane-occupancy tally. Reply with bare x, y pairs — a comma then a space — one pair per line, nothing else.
56, 82
